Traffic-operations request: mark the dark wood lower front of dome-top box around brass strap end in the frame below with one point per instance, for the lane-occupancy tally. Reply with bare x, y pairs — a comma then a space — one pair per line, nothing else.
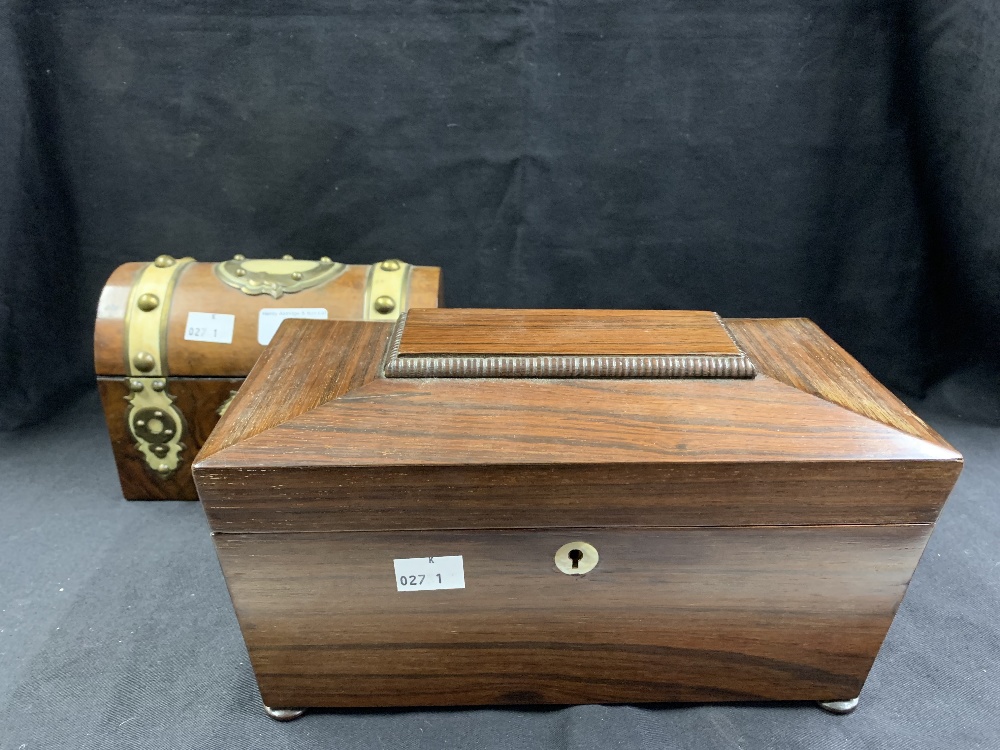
198, 399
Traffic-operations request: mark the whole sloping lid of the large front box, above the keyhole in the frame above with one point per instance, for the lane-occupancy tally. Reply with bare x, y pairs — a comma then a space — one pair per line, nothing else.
320, 439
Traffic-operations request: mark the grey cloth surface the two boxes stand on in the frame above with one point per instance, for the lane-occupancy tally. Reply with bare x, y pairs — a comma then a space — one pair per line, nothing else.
116, 631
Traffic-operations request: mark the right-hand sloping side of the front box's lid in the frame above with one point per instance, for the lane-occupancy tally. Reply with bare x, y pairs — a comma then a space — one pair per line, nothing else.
797, 352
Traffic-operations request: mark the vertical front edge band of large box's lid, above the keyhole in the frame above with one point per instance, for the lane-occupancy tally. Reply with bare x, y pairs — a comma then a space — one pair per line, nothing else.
366, 498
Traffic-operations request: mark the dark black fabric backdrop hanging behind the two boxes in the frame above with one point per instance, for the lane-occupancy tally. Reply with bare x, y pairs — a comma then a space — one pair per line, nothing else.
837, 159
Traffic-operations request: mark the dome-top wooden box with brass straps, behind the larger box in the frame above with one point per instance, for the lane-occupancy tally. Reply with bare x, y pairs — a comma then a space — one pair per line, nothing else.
175, 338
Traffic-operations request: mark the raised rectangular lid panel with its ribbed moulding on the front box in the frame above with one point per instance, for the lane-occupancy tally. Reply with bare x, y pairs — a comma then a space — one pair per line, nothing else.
564, 344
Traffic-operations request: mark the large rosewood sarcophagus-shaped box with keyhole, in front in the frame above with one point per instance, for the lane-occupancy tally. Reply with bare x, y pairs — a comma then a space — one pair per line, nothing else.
516, 506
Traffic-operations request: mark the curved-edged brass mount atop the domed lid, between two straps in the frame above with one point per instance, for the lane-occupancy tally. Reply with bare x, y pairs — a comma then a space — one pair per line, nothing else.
276, 276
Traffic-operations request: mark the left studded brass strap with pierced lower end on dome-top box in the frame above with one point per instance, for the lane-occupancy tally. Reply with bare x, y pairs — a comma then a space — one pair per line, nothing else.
156, 424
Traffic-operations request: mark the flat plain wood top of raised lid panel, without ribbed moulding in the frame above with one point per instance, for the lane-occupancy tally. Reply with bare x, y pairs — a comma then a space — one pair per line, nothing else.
571, 332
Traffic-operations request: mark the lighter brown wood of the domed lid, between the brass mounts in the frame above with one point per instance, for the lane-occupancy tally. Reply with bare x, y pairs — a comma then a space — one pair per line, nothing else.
199, 290
